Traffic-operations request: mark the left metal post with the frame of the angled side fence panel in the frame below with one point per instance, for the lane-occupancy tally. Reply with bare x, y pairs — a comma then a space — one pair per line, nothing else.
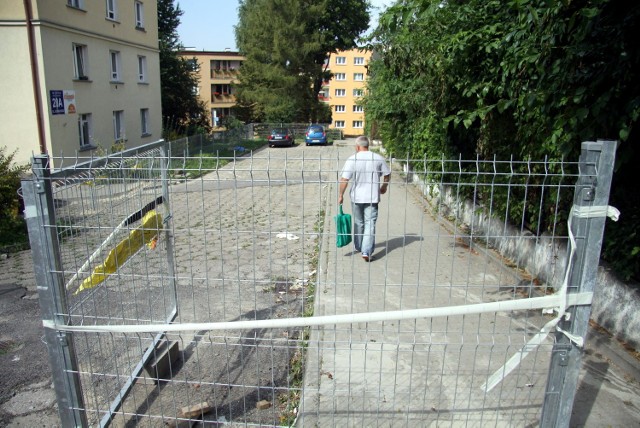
40, 216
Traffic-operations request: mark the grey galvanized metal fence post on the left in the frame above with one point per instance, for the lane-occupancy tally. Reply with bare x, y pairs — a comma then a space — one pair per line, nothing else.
39, 214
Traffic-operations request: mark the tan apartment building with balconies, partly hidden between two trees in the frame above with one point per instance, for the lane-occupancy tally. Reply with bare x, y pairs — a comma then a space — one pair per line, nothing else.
218, 72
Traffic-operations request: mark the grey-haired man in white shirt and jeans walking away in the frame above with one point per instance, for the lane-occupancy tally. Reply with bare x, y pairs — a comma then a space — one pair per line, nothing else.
365, 168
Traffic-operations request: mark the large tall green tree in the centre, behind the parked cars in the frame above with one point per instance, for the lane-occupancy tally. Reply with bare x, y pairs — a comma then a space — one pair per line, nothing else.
286, 43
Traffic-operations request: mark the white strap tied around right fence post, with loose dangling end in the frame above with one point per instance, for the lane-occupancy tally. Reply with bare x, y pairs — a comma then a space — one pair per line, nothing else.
565, 300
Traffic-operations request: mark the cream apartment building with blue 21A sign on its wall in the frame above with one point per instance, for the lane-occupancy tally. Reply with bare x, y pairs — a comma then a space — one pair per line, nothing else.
78, 75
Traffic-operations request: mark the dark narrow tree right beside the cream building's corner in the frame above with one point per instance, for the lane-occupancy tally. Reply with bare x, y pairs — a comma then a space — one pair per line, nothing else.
182, 111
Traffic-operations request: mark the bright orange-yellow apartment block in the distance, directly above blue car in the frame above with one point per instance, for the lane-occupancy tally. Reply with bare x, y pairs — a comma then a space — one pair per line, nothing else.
345, 89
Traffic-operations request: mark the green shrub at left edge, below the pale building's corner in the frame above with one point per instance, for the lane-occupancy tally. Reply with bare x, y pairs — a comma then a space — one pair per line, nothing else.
12, 226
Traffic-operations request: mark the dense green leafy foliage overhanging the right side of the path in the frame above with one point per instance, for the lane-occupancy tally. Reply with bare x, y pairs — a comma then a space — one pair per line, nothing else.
525, 78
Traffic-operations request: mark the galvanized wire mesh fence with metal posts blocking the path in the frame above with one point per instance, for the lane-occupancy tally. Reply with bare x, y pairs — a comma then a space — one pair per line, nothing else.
179, 287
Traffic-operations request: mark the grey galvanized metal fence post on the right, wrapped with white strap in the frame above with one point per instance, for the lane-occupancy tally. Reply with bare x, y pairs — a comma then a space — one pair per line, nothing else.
592, 189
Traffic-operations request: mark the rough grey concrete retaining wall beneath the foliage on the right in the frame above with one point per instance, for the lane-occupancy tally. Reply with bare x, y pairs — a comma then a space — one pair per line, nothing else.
616, 305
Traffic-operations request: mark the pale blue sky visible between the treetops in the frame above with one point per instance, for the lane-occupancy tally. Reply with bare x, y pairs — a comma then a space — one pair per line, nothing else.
208, 24
